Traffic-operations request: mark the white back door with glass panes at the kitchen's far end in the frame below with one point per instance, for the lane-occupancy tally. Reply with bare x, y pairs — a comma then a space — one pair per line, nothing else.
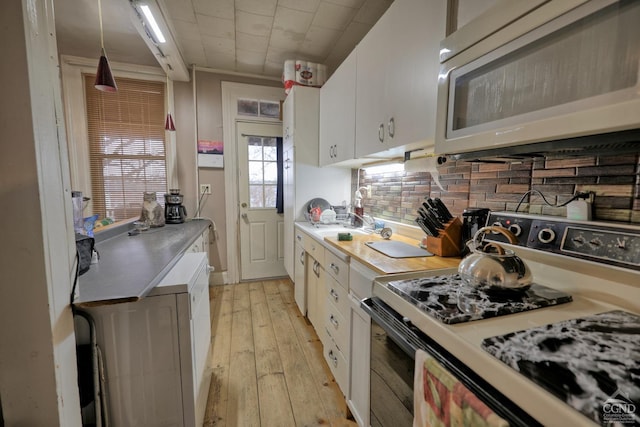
261, 227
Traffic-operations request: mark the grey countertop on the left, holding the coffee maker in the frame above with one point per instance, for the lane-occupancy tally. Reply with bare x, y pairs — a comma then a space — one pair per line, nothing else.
131, 266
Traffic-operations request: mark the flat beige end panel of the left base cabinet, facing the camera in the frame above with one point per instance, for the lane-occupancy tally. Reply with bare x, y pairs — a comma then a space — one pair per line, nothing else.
140, 343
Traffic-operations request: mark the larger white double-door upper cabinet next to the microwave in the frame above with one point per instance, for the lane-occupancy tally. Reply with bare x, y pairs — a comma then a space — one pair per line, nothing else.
396, 79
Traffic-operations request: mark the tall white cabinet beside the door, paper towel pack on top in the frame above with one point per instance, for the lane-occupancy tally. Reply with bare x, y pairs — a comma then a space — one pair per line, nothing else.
303, 179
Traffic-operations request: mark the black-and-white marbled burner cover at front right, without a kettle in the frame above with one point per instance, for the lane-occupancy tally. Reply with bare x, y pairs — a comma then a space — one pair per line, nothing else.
591, 363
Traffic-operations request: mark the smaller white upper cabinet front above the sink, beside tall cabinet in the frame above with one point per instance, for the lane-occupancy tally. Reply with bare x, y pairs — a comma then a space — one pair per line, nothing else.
338, 114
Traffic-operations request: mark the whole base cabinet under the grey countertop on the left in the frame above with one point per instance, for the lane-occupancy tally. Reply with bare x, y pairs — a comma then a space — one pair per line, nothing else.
156, 350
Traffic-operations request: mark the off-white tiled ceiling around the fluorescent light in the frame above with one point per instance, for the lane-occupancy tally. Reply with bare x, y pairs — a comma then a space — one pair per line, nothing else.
246, 36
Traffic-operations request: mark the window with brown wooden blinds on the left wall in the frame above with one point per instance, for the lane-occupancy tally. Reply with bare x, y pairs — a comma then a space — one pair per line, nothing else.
126, 145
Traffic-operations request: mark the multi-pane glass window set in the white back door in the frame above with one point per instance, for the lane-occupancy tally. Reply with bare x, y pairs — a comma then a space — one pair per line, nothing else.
263, 171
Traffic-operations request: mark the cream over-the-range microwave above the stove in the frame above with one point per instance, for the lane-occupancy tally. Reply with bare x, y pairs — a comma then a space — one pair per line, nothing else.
528, 72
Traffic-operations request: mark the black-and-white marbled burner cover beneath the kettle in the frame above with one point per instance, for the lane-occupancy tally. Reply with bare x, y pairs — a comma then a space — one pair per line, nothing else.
449, 300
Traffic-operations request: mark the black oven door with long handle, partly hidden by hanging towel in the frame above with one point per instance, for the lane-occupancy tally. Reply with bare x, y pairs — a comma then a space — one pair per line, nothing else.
394, 341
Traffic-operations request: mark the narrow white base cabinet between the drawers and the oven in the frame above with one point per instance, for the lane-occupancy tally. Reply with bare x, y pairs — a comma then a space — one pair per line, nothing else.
360, 285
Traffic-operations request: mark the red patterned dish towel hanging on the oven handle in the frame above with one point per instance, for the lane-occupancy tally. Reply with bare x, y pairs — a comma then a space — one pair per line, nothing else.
440, 400
